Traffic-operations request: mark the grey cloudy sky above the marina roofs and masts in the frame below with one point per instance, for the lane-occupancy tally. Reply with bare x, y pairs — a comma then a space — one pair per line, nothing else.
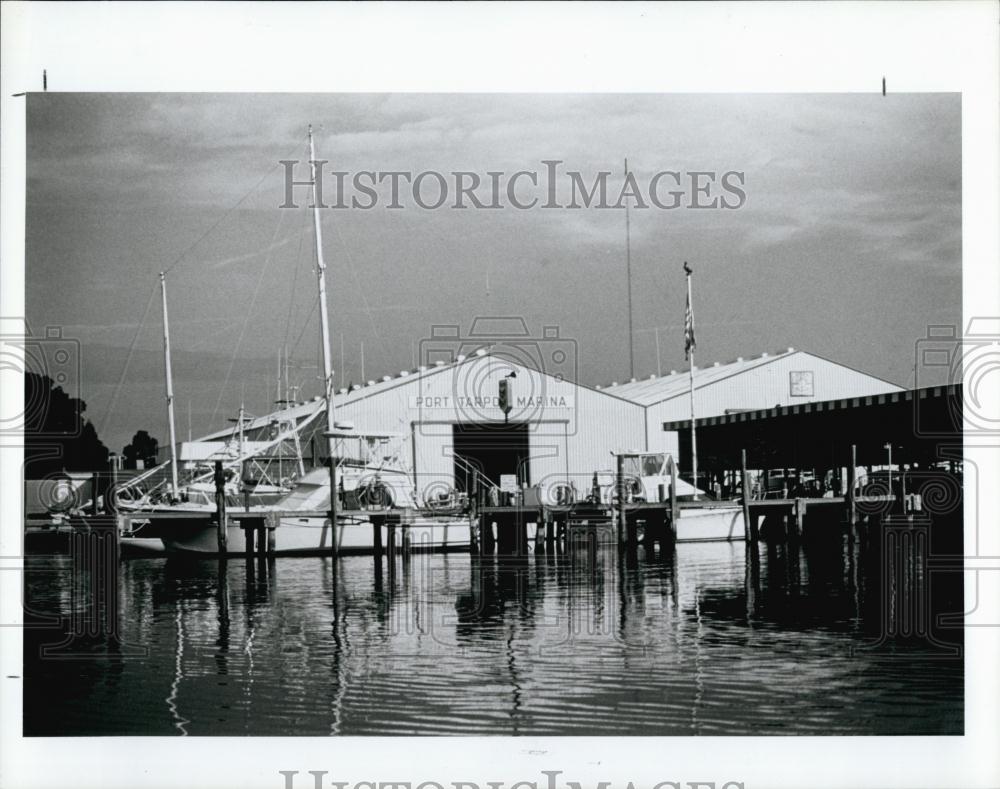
848, 243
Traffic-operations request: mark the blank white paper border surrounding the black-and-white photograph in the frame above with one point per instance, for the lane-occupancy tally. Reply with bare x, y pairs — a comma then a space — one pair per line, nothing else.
948, 46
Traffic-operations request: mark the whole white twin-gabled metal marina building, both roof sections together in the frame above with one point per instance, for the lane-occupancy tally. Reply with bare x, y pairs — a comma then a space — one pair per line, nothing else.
446, 419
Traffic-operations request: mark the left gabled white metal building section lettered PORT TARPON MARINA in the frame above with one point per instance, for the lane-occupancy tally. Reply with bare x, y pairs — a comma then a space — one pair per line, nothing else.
447, 418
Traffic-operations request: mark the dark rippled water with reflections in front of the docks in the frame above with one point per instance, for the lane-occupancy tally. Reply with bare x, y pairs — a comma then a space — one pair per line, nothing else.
701, 641
